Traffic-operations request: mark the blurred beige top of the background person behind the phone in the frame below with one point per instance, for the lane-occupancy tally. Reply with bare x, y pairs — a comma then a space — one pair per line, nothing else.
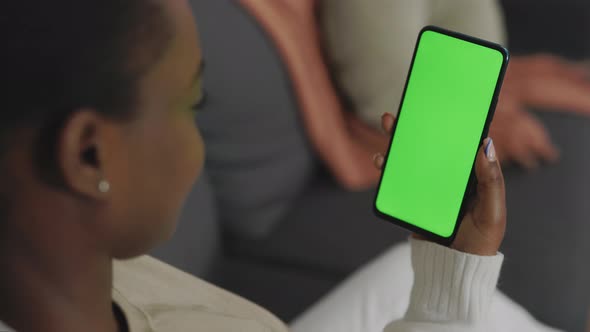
370, 43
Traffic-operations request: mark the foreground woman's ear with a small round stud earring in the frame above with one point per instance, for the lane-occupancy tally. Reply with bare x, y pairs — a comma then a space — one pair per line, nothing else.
80, 156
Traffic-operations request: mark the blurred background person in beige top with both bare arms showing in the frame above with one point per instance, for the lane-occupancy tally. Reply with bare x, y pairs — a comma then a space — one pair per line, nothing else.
369, 46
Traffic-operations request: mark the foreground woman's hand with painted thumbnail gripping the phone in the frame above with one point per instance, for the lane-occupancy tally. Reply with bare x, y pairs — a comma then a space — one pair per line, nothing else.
482, 229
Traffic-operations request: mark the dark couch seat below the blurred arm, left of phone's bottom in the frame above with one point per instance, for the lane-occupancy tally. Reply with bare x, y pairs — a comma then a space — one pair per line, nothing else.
328, 230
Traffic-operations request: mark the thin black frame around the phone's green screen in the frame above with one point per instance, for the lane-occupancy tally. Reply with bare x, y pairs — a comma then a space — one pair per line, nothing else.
469, 189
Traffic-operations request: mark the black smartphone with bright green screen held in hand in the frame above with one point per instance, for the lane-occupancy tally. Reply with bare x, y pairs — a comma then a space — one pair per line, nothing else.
444, 115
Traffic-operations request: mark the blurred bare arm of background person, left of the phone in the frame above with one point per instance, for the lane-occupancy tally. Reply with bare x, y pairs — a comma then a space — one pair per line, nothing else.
293, 27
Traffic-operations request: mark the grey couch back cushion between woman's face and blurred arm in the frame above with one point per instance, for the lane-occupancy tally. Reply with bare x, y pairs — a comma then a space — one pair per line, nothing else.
258, 158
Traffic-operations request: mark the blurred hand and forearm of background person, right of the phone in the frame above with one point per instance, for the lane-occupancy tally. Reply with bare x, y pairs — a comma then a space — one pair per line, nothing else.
542, 82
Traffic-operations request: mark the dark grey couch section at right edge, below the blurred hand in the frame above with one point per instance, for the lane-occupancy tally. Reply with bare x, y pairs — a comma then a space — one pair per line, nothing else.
546, 243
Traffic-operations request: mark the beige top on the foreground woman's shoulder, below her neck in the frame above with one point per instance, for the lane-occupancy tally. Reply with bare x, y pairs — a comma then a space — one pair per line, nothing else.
156, 297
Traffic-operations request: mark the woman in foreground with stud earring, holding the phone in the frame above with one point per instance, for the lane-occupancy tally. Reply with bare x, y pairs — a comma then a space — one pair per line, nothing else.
99, 150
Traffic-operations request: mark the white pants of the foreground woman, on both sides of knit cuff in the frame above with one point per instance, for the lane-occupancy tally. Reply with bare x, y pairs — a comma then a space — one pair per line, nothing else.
379, 293
